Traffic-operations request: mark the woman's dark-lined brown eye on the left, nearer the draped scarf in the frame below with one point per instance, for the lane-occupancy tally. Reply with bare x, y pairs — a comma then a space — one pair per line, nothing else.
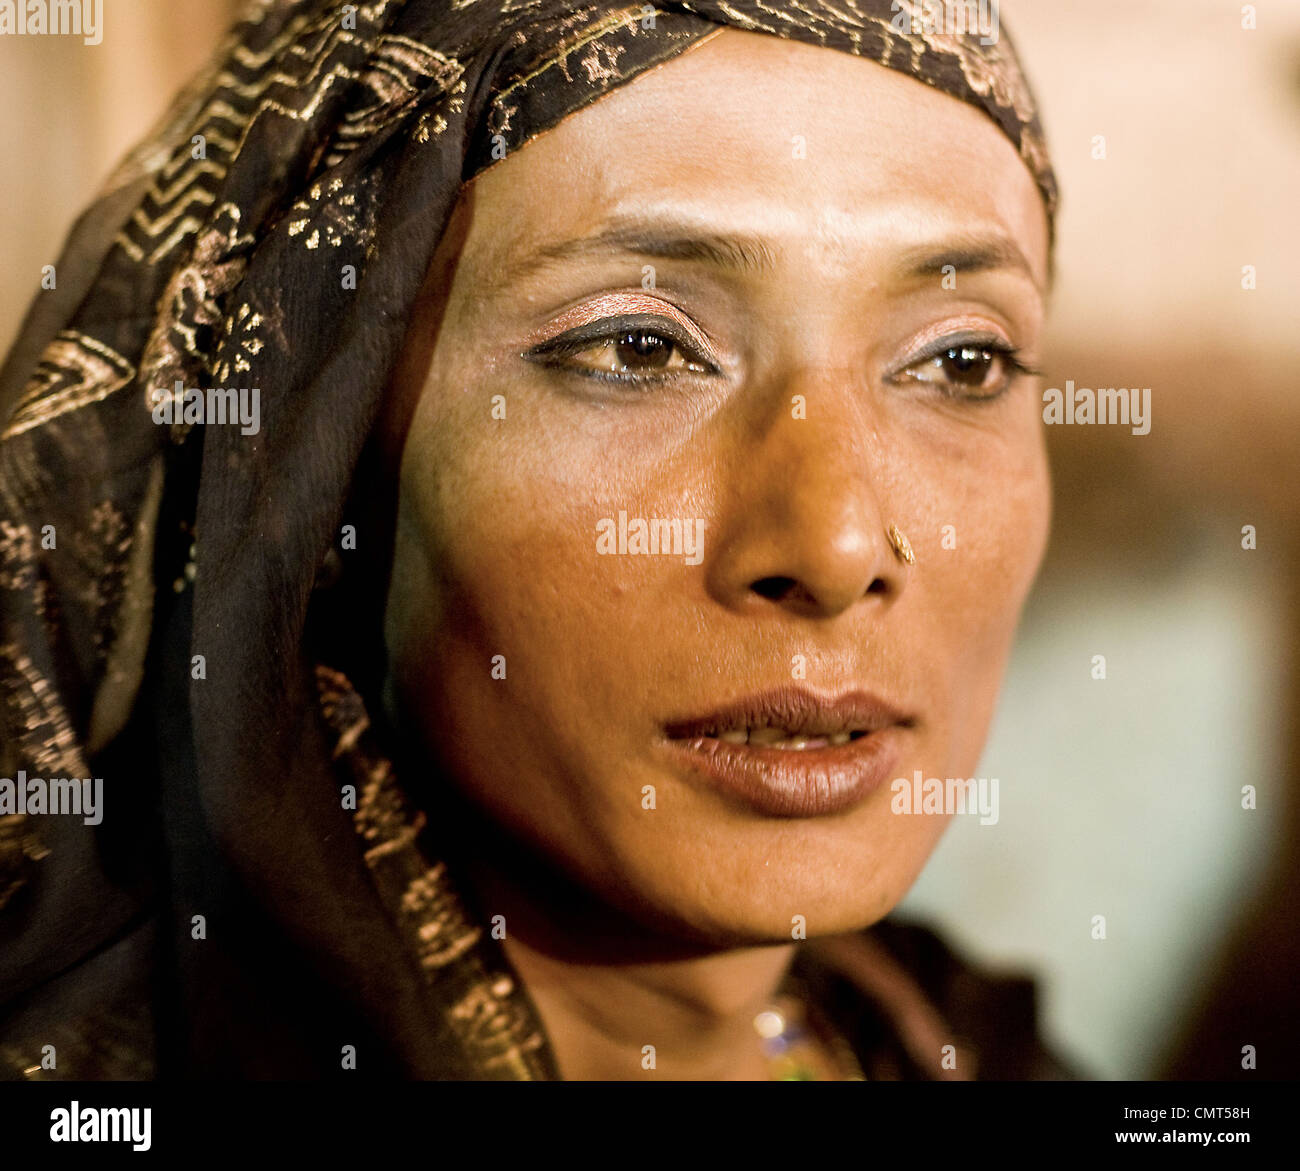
622, 353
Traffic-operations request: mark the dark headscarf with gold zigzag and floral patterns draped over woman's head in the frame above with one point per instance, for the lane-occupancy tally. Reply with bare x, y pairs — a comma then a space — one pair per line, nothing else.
158, 626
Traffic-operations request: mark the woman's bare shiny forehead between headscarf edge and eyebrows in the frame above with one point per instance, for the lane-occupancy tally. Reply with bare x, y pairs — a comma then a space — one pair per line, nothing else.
762, 146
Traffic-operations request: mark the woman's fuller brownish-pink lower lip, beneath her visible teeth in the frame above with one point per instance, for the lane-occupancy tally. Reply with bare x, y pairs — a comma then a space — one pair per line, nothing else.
795, 783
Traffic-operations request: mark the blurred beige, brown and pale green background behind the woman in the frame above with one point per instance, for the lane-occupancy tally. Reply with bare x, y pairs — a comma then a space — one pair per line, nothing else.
1121, 796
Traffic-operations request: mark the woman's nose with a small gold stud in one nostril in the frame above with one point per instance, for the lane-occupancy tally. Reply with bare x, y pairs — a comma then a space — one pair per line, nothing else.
801, 524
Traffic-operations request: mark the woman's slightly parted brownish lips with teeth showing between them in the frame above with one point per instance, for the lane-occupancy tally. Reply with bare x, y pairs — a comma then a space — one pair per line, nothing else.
792, 753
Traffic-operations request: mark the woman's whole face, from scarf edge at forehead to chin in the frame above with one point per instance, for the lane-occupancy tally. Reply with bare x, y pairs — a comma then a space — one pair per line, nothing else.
721, 297
